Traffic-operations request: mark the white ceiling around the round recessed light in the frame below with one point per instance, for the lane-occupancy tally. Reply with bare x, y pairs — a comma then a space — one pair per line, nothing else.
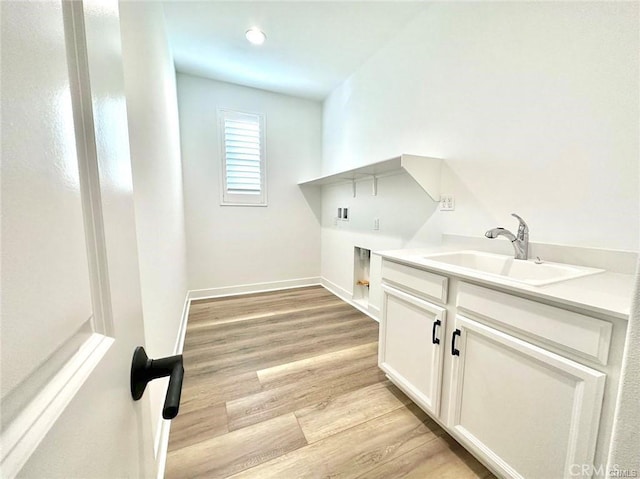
311, 47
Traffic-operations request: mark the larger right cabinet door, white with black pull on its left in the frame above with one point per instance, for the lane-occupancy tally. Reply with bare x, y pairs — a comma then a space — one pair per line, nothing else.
529, 412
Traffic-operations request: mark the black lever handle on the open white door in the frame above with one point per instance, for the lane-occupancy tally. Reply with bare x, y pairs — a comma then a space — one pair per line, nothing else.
144, 370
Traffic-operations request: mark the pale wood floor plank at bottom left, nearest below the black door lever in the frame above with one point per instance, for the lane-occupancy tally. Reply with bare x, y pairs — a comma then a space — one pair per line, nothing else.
225, 455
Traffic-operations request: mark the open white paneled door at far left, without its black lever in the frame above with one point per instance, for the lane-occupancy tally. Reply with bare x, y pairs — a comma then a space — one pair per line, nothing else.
71, 309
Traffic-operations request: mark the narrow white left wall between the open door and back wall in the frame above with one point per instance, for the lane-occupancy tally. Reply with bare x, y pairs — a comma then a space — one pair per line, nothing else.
157, 179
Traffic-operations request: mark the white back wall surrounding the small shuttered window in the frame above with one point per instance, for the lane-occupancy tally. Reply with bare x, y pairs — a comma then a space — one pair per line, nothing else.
241, 245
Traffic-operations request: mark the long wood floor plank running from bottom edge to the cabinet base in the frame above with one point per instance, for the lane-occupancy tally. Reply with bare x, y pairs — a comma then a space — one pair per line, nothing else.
353, 452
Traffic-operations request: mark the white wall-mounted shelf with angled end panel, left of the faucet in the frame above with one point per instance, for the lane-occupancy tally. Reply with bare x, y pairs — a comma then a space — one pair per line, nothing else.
424, 170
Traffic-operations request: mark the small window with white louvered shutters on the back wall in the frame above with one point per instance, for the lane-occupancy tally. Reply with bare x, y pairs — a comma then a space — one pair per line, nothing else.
243, 158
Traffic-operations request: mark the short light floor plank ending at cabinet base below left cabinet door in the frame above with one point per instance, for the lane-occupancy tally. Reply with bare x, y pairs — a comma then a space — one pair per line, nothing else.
348, 410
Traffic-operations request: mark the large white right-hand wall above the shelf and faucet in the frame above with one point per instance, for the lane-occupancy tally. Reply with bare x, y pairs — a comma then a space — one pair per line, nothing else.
534, 107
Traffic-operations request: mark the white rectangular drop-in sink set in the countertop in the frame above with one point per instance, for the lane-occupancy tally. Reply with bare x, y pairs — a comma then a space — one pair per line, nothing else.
506, 267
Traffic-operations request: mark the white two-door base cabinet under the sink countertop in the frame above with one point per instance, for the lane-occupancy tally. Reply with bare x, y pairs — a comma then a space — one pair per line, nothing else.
521, 384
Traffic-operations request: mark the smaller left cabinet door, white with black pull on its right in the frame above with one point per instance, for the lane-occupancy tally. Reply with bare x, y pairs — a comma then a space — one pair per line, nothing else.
411, 349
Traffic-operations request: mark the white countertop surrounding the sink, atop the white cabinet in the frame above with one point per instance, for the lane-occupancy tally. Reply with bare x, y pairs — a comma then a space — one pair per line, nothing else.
606, 293
